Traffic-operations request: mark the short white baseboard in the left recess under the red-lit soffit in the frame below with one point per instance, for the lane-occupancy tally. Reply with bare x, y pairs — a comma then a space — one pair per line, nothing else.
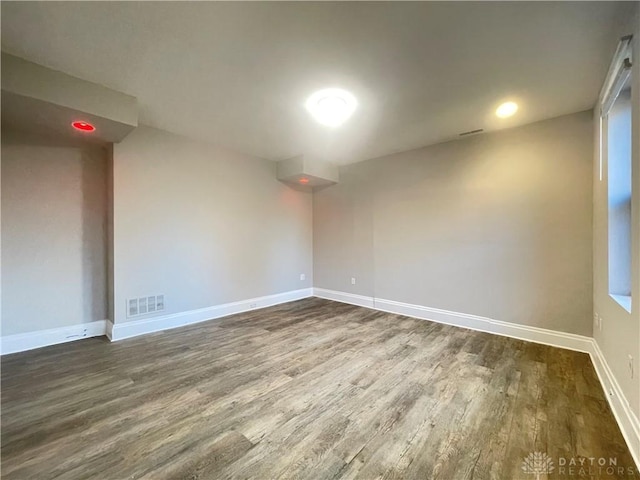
43, 338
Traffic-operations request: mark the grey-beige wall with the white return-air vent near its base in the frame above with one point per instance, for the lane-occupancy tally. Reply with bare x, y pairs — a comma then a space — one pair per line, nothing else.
202, 225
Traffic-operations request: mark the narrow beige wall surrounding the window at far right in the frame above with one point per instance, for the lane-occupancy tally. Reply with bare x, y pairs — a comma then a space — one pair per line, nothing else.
619, 335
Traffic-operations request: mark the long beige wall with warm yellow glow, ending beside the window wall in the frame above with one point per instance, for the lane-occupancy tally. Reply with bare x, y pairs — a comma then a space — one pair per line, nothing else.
497, 225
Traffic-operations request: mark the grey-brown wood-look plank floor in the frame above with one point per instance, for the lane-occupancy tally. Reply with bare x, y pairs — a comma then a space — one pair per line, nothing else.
309, 389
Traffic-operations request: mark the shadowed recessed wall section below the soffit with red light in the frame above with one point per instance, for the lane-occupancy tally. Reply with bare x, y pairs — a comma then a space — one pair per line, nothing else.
53, 234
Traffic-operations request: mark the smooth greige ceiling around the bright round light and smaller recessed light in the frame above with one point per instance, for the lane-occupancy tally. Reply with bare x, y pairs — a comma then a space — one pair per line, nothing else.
238, 74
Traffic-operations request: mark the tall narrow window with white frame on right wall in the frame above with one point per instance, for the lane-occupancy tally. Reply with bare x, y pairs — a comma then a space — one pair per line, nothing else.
615, 153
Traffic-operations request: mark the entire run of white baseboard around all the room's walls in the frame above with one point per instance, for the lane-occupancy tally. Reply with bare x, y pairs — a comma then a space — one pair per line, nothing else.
627, 421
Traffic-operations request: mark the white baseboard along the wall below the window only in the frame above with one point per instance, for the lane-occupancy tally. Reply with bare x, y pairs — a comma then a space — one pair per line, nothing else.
627, 420
